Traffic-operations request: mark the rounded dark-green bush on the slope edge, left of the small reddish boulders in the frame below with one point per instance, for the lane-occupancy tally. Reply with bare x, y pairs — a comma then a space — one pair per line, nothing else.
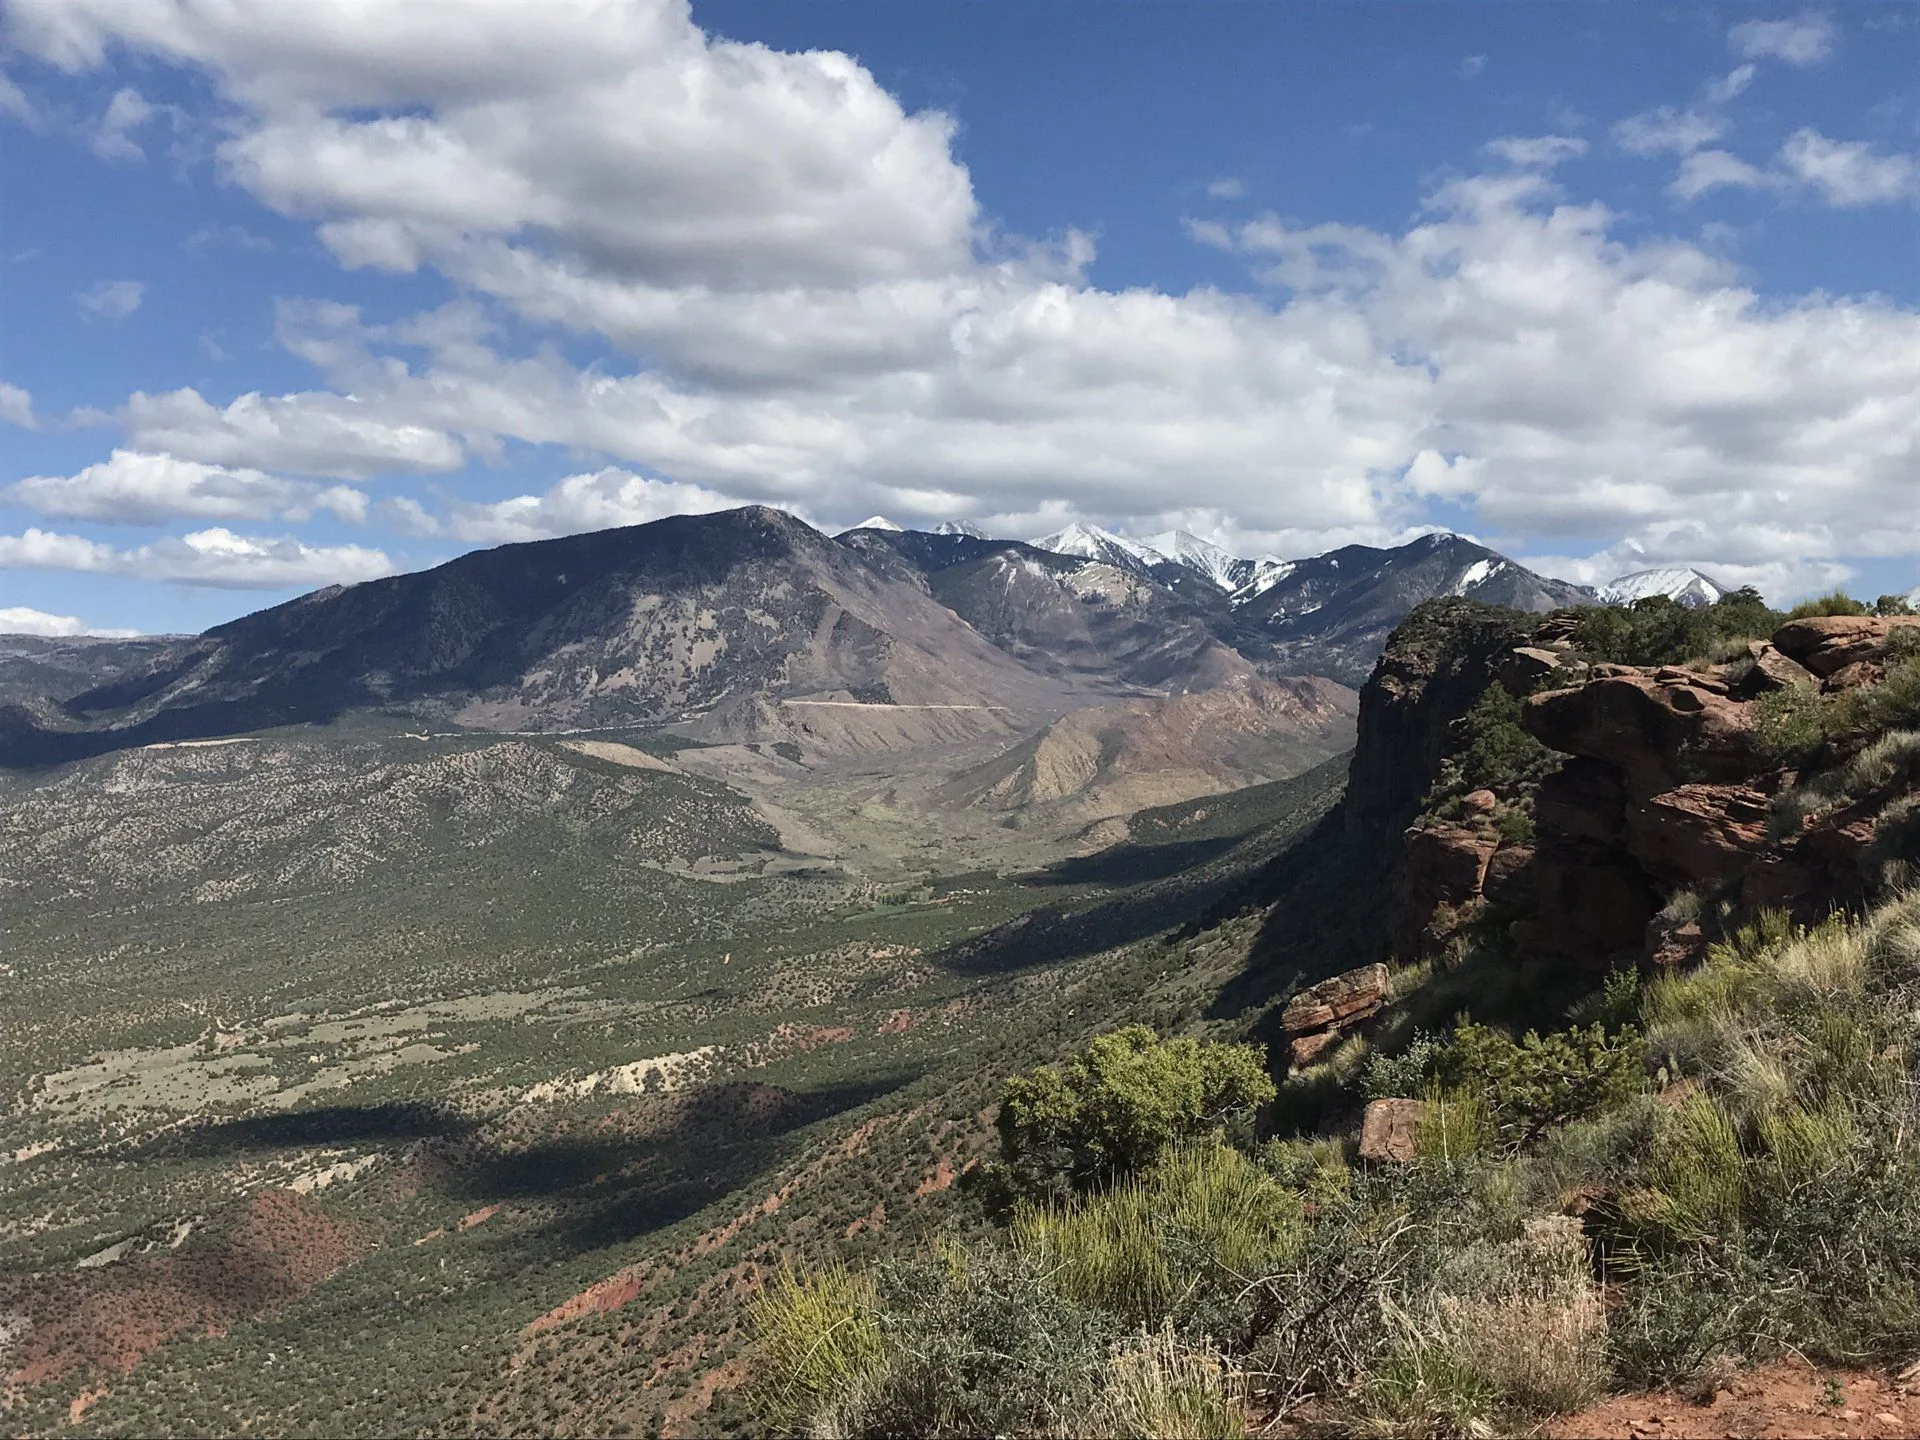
1120, 1105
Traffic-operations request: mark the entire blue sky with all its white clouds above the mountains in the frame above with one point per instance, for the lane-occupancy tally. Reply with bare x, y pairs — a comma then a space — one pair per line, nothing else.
310, 295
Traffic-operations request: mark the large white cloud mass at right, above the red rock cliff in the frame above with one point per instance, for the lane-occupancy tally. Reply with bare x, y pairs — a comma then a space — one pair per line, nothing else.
1608, 391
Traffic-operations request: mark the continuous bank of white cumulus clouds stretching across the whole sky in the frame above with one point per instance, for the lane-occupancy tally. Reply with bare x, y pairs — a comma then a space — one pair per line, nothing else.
817, 316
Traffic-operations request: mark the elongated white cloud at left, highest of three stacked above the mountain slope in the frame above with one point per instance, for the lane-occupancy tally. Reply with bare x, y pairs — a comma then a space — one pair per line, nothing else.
312, 435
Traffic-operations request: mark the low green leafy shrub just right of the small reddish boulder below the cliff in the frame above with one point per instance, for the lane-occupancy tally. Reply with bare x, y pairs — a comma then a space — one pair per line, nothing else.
1547, 1080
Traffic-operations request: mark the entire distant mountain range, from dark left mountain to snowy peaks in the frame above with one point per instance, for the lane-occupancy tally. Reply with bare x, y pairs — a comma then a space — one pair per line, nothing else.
708, 619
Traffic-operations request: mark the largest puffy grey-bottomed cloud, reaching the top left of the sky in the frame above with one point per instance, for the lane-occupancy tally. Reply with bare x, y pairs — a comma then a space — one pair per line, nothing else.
615, 132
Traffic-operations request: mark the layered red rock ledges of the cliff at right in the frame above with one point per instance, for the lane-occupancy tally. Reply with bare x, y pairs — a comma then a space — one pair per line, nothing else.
1666, 788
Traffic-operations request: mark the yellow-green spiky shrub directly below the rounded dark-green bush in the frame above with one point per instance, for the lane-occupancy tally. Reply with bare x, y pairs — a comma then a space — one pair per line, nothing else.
1176, 1243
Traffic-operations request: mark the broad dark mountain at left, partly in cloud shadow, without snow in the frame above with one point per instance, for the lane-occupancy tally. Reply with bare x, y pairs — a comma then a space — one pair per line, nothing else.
619, 627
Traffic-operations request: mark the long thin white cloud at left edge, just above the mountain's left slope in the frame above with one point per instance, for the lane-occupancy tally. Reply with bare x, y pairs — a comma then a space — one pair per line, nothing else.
212, 558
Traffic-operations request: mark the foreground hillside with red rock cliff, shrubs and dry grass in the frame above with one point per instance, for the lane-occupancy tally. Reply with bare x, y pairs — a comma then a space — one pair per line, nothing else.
1629, 1103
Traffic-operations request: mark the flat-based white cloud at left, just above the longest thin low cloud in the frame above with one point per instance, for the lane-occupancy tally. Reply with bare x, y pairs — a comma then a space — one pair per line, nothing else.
137, 489
